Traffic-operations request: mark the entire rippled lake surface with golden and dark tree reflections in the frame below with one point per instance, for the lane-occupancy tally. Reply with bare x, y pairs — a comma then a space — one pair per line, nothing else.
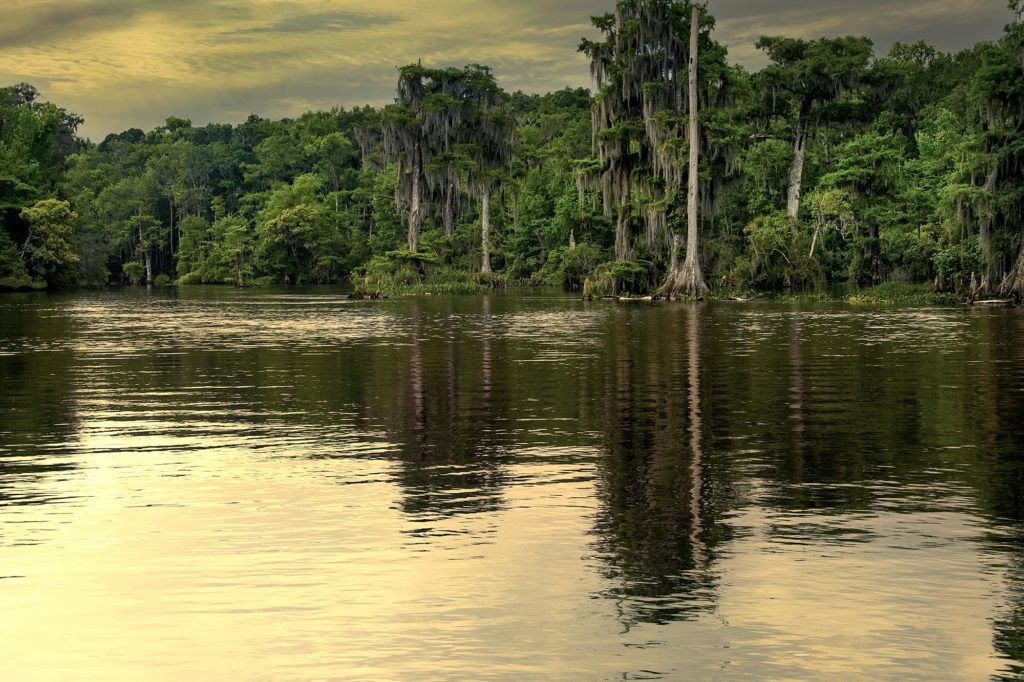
219, 485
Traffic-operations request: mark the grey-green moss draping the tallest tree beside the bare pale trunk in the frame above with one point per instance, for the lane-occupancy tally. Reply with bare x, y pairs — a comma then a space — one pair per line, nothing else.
641, 119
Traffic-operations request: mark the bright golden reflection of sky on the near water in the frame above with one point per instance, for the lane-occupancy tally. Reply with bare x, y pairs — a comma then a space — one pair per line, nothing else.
235, 565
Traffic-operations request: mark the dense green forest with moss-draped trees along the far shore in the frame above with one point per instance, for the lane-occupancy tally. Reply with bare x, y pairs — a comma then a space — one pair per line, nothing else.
680, 175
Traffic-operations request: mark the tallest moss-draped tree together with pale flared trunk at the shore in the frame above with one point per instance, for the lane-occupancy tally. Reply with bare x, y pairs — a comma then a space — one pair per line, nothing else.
647, 129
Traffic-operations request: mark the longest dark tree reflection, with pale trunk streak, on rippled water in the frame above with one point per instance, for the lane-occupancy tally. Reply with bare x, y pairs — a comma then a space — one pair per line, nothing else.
657, 531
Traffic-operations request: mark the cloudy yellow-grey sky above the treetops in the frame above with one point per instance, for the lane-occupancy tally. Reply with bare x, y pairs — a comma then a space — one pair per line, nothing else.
124, 64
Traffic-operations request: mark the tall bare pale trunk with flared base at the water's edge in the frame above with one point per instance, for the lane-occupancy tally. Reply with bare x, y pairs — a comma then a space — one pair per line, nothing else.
688, 279
